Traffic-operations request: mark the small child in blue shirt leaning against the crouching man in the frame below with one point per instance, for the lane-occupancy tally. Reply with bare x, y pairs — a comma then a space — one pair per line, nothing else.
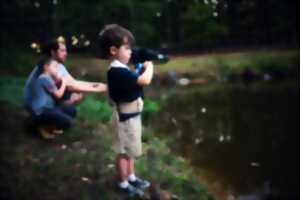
46, 115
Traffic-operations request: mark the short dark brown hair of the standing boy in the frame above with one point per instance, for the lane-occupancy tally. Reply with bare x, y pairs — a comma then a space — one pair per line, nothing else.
114, 35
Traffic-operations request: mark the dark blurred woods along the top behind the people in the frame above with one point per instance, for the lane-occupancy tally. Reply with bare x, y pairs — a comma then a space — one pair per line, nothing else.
174, 25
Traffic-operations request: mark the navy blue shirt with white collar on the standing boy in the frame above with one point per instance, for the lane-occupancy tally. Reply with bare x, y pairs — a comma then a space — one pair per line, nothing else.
122, 86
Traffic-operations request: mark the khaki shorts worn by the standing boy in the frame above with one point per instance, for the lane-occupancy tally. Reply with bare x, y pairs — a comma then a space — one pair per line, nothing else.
127, 135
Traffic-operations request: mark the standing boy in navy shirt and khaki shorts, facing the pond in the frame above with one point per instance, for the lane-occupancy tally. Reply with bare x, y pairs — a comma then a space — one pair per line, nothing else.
125, 89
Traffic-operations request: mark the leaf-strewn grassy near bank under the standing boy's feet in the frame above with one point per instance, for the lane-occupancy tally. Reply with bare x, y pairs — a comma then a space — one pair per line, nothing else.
80, 163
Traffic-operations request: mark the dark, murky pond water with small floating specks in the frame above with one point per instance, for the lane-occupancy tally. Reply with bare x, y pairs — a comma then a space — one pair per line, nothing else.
242, 140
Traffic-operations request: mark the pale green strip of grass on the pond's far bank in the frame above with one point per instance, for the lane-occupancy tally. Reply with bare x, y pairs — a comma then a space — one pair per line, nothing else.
214, 64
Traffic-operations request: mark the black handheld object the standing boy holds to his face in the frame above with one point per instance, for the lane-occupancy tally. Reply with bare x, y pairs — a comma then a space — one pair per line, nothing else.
140, 55
